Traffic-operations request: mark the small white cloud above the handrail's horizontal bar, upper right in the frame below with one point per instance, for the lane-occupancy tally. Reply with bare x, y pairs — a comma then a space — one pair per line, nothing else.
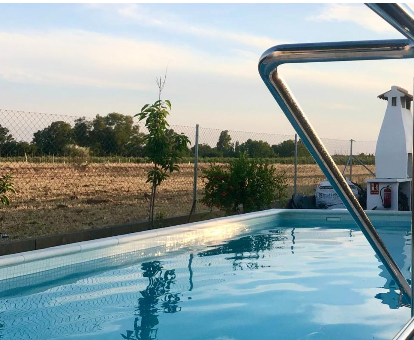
352, 13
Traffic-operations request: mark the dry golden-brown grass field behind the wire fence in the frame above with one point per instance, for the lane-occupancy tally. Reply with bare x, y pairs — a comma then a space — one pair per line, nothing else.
54, 198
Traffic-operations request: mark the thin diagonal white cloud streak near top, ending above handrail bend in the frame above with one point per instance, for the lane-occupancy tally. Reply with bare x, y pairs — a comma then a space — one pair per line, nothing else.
140, 15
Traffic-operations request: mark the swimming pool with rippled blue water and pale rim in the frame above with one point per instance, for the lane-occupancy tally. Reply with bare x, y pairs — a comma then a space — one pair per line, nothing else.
271, 275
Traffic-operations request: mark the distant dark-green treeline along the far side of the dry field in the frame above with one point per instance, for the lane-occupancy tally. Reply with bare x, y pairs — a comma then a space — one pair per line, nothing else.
115, 137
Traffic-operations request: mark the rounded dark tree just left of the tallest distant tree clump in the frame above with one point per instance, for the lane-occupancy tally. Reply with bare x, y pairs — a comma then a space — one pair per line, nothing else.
53, 139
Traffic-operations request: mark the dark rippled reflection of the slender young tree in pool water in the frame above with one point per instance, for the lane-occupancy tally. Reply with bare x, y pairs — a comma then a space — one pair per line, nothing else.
156, 297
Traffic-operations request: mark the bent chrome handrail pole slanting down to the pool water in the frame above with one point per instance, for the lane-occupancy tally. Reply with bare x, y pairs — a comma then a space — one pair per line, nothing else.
327, 52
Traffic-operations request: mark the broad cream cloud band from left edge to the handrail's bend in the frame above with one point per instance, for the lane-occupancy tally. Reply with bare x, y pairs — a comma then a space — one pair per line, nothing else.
94, 59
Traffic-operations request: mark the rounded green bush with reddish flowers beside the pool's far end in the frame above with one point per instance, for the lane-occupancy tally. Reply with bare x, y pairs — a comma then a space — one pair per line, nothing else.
250, 184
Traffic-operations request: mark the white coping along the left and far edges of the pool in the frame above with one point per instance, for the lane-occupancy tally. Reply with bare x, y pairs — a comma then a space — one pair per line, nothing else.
23, 263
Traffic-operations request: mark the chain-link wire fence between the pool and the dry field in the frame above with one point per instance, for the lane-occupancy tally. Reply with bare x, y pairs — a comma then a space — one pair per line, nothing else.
77, 173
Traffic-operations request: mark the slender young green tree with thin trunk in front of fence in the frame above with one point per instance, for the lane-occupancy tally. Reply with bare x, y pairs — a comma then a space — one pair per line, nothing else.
163, 147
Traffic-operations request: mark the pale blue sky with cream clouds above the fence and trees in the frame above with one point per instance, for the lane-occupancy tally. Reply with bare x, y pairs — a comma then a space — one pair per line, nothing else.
88, 59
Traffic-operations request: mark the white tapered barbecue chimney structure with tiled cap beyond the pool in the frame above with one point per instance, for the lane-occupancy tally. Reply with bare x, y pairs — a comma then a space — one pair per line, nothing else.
393, 154
